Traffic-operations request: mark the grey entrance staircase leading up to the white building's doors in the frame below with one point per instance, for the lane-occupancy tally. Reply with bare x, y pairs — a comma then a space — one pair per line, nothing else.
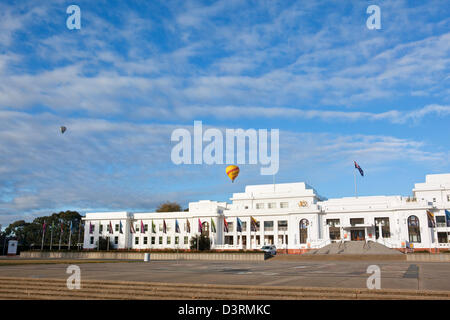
355, 247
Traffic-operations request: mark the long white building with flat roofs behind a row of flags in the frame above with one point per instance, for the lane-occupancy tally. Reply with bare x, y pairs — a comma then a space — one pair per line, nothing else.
291, 216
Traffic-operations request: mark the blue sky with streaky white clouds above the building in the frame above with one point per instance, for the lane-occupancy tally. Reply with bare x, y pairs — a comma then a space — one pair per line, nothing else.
137, 70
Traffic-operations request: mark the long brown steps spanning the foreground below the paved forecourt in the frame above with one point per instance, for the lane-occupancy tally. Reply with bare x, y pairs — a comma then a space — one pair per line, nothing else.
43, 289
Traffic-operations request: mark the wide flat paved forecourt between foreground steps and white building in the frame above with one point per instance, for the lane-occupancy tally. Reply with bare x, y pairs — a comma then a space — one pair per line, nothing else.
351, 274
